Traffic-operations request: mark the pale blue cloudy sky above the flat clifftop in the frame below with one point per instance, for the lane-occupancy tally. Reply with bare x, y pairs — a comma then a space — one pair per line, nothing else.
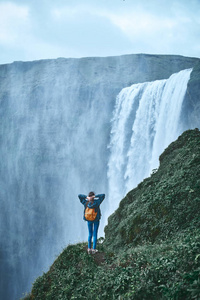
46, 29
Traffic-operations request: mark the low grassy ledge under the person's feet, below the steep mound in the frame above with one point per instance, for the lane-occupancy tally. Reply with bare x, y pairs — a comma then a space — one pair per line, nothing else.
168, 270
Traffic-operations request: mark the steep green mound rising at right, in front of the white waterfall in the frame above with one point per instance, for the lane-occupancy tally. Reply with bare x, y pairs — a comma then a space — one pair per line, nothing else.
164, 204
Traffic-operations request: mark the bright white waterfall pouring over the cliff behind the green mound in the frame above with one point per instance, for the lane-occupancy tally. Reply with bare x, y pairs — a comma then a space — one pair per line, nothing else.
145, 121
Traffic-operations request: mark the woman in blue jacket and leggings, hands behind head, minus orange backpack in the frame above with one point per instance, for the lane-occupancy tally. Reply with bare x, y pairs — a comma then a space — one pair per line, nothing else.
92, 201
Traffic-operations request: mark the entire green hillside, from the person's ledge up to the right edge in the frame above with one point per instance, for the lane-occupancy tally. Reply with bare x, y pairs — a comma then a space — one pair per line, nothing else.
152, 241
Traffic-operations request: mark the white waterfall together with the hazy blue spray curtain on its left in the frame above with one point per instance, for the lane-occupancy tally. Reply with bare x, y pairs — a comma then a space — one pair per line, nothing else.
54, 139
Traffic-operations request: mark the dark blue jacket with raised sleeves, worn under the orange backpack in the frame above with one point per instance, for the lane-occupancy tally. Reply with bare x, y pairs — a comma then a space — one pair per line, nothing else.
97, 201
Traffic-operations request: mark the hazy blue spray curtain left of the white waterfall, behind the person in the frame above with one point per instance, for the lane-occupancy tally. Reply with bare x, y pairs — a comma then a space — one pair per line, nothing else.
52, 149
